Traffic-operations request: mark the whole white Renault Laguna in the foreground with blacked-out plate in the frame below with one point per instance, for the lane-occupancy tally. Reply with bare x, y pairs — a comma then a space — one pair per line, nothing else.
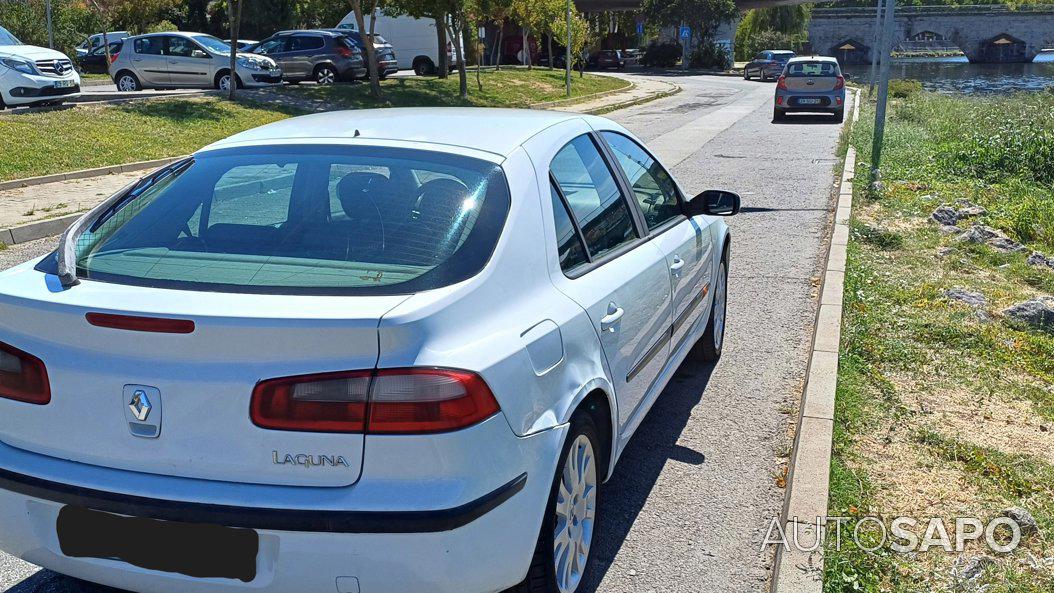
352, 352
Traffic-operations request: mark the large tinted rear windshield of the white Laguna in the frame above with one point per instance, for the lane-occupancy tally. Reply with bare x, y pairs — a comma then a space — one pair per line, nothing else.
304, 221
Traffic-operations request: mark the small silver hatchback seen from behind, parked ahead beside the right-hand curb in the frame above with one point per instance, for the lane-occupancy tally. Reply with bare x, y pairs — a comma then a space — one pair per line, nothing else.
814, 85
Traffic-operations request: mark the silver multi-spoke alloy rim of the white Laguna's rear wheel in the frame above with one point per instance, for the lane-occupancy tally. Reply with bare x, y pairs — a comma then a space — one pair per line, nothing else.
576, 516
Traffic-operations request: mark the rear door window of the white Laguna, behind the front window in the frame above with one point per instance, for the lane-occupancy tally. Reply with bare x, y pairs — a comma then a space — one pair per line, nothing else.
594, 196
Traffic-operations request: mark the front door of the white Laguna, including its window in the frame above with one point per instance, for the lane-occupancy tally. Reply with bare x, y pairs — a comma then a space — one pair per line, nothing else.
686, 242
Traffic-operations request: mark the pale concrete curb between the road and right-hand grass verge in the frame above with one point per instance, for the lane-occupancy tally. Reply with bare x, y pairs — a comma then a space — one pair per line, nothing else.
797, 570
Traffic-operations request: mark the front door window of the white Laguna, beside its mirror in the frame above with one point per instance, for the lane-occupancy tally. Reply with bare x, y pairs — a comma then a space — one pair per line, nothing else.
653, 187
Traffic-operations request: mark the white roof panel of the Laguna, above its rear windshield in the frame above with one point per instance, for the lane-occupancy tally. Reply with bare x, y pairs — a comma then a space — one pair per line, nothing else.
496, 131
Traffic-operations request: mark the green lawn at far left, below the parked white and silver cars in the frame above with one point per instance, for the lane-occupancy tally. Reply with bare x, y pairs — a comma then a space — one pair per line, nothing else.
86, 137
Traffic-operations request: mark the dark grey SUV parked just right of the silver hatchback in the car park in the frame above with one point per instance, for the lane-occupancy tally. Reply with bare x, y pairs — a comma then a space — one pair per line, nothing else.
323, 56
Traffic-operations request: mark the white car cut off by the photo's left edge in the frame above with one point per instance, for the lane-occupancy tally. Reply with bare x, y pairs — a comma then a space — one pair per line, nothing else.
34, 76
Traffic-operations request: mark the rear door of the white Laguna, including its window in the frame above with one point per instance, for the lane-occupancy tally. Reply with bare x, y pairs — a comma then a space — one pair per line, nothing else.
624, 284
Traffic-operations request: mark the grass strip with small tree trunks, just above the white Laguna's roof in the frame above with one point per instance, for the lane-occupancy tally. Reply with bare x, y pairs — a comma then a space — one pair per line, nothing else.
512, 88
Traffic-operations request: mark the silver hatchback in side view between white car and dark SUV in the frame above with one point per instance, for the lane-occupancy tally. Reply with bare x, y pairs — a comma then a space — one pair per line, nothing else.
187, 61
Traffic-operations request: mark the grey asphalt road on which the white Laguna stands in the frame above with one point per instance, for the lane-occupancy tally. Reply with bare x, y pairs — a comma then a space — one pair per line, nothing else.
692, 499
